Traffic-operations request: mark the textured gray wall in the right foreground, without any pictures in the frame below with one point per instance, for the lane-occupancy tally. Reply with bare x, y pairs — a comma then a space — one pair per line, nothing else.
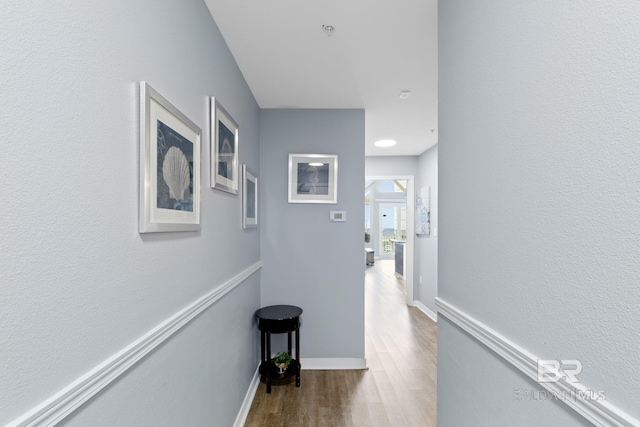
539, 195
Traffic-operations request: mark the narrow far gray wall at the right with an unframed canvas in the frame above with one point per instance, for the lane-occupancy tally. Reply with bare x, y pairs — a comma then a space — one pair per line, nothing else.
427, 246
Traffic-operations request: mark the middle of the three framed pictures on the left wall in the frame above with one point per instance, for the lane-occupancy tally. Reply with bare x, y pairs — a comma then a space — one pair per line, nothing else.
224, 149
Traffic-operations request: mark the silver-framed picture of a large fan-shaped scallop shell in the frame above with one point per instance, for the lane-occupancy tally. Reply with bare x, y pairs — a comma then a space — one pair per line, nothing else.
169, 166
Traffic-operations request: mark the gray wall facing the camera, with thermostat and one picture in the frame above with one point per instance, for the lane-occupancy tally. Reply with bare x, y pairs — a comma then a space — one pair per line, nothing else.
309, 261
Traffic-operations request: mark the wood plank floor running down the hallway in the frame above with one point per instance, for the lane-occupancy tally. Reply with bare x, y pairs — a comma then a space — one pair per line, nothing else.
398, 389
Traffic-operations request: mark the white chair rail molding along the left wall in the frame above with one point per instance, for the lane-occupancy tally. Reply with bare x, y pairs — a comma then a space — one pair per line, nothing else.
66, 401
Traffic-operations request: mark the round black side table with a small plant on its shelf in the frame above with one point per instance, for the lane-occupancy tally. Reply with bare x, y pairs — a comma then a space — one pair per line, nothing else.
278, 319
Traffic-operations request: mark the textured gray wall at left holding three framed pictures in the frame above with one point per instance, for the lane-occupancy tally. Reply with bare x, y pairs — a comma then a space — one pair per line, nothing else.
78, 282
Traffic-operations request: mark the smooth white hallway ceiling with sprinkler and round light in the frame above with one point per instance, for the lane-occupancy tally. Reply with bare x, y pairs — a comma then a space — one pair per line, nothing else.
378, 49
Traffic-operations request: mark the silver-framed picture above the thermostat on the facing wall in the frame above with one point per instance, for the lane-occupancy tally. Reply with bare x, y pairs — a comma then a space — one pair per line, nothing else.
313, 178
